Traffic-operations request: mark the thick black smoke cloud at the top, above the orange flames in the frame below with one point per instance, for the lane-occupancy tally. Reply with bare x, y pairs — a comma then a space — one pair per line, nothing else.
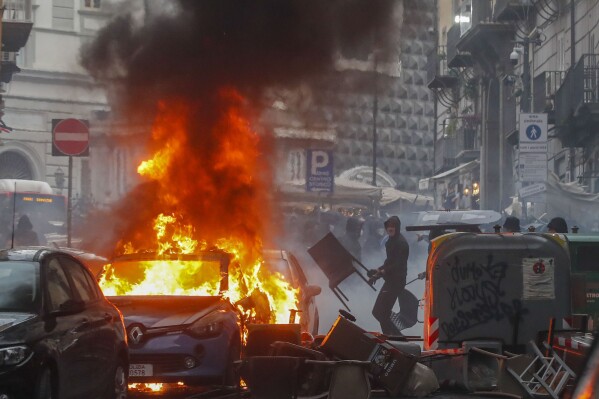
249, 45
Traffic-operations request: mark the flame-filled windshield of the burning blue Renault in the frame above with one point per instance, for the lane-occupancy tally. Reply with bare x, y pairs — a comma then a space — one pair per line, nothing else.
161, 277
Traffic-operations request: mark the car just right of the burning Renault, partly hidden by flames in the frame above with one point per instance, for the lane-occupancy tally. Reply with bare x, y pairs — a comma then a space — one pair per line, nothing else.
287, 264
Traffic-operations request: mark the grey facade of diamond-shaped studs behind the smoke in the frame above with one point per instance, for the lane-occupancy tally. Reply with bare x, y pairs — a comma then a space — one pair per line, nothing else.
385, 118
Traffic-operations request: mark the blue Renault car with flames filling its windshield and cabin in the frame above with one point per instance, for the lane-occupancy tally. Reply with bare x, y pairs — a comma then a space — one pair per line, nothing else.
190, 338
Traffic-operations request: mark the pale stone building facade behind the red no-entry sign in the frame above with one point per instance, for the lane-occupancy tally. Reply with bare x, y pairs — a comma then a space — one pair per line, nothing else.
51, 85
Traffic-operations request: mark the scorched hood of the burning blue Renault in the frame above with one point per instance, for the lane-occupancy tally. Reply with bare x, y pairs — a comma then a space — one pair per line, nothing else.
165, 311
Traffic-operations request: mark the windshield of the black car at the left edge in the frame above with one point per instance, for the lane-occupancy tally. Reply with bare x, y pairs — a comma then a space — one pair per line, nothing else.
19, 286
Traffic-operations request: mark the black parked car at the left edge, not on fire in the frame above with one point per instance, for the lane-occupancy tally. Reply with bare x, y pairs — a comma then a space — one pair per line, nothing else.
59, 336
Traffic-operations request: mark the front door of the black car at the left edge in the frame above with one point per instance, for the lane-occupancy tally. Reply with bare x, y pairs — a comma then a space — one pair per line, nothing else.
66, 330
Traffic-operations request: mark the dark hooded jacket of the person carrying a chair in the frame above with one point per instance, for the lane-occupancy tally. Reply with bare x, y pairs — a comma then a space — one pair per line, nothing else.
397, 248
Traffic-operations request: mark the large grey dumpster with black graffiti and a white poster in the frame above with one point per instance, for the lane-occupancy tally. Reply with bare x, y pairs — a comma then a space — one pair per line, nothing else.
494, 286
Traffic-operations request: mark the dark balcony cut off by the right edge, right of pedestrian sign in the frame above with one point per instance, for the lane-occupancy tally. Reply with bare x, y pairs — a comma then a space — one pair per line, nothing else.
577, 103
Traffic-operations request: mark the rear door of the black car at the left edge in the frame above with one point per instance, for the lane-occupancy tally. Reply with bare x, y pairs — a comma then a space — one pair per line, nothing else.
98, 332
